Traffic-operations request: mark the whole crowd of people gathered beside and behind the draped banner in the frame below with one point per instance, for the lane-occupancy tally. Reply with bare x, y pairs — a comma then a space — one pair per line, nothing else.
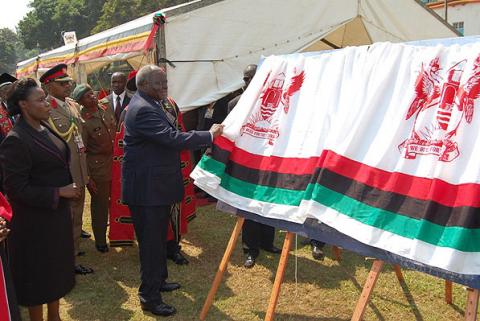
131, 151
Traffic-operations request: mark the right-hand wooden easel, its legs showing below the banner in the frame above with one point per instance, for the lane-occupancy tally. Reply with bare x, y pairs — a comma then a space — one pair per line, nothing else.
472, 299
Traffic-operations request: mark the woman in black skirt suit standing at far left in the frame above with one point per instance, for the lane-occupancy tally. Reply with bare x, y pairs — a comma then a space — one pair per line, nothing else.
38, 184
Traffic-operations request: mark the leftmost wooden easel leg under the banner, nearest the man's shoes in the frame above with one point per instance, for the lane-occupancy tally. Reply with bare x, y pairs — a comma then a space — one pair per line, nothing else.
222, 267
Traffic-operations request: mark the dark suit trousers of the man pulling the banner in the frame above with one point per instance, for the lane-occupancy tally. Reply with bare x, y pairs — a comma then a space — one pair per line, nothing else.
151, 224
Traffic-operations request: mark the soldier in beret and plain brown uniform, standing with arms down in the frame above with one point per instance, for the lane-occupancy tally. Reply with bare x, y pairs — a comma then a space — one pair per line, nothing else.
99, 133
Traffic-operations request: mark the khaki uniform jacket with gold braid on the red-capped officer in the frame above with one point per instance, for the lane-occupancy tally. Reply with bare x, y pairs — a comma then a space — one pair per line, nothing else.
63, 116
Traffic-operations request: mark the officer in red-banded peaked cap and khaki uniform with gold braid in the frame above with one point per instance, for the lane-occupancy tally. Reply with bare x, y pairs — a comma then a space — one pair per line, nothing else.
66, 121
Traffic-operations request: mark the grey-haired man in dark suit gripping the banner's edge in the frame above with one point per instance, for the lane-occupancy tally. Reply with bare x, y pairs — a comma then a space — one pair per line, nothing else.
152, 179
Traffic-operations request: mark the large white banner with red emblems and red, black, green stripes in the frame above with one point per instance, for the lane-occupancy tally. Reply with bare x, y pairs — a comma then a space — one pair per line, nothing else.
380, 143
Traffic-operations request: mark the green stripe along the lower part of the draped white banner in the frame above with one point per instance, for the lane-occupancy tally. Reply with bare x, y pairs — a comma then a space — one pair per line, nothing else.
459, 238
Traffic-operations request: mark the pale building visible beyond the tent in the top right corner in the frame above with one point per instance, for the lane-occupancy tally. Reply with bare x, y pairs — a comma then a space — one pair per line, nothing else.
463, 15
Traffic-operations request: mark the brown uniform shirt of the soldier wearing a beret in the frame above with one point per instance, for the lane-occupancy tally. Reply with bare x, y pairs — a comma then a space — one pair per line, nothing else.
100, 127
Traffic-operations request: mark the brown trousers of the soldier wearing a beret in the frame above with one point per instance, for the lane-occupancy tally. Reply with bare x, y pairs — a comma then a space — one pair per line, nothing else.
99, 204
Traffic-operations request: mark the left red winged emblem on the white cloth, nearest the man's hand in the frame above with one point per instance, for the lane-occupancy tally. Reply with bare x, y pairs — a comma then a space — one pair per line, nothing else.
263, 123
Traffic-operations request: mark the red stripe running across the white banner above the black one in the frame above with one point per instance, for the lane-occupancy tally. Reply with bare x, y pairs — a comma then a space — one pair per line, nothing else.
437, 190
